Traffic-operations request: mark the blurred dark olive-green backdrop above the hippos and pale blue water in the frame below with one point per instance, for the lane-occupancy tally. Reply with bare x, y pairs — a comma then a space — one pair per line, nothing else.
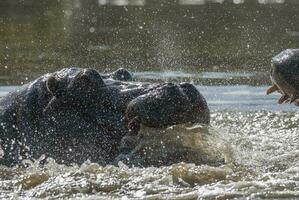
143, 35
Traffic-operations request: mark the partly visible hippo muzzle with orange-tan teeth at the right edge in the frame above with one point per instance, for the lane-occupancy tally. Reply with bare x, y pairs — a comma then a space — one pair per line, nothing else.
284, 76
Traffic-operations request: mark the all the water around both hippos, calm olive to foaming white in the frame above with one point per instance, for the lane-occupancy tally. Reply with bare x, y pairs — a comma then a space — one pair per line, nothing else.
222, 46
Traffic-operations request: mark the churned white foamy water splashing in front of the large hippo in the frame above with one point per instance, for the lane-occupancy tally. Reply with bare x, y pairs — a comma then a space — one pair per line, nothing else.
264, 164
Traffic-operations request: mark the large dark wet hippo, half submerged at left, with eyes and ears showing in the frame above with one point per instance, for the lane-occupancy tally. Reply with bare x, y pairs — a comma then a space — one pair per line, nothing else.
79, 114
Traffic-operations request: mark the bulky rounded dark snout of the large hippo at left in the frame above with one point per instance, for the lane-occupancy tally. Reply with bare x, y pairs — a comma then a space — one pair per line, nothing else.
168, 105
